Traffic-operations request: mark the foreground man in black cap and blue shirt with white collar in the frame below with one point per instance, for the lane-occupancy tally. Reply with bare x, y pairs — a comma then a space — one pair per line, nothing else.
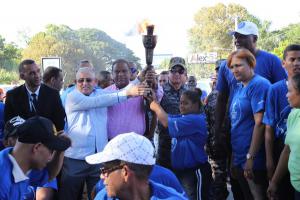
32, 152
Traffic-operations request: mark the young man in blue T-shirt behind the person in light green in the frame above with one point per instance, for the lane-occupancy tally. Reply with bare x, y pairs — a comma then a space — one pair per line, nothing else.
275, 118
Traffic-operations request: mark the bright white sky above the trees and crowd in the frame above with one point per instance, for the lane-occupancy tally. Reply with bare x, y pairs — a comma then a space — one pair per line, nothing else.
172, 18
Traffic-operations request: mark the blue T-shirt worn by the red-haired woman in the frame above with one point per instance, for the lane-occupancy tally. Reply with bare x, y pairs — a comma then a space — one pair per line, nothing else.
246, 102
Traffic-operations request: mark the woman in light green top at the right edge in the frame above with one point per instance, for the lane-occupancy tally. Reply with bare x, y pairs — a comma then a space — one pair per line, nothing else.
290, 156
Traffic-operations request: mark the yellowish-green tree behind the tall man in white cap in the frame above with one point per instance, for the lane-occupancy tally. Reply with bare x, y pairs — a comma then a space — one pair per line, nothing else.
212, 25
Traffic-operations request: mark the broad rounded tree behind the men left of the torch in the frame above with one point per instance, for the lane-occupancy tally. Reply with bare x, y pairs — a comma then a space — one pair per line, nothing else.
75, 45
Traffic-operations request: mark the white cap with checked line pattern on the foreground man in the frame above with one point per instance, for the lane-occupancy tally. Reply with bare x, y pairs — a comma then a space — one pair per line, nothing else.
129, 147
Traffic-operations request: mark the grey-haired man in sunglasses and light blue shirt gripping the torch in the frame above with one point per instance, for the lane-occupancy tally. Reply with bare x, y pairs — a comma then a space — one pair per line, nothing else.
87, 119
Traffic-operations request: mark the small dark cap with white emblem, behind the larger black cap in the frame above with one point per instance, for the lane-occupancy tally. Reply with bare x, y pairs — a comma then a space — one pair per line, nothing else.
10, 128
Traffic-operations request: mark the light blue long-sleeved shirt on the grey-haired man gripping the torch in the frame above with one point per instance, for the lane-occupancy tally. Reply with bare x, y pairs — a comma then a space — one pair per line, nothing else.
87, 121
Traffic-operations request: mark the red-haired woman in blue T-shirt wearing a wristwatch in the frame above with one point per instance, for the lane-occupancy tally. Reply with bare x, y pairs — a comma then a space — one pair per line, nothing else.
247, 131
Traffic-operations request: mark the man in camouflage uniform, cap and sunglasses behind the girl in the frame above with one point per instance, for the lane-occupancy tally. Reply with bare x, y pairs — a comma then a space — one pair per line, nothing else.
170, 103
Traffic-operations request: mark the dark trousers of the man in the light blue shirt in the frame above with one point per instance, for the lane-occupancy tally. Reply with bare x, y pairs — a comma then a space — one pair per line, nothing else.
73, 176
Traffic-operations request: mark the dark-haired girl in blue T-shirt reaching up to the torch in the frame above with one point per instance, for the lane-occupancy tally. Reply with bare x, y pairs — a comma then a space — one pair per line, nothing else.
188, 132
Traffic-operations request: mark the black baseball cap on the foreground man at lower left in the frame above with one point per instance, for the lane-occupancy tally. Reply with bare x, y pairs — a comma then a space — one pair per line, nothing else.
40, 129
